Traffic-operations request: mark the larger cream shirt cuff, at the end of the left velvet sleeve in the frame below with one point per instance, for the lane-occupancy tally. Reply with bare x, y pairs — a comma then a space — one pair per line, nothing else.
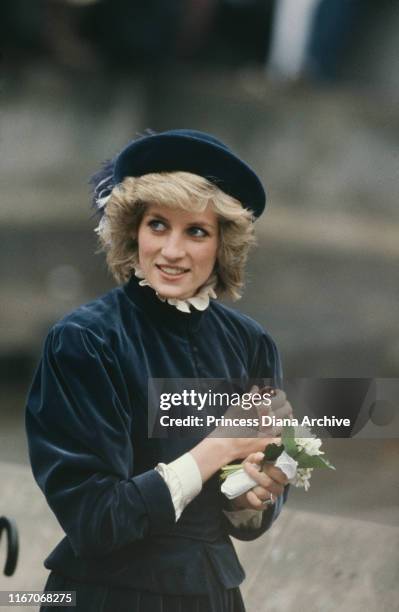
183, 478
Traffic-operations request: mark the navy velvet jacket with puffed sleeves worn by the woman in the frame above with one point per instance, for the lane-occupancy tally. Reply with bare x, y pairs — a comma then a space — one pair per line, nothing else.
90, 452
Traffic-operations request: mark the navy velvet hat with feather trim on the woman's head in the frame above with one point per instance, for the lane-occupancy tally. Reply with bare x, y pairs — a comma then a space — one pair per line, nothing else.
183, 150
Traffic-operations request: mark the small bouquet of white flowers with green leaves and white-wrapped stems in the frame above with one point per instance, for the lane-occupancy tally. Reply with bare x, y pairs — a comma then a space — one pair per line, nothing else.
297, 456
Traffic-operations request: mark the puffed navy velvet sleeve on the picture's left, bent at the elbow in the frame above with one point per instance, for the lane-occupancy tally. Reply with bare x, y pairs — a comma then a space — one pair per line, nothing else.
78, 424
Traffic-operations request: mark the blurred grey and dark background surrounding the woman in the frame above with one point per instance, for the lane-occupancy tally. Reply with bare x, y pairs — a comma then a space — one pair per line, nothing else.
307, 92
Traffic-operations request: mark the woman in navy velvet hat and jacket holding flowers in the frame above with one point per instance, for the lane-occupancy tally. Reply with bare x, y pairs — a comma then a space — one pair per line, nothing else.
146, 525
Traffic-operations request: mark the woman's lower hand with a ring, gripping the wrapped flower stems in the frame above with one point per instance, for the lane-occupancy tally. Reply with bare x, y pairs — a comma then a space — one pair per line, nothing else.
270, 482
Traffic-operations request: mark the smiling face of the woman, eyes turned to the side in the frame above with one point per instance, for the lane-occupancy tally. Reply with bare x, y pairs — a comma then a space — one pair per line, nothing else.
177, 249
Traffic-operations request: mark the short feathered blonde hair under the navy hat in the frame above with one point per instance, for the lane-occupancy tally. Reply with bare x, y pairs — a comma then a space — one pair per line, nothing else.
128, 202
